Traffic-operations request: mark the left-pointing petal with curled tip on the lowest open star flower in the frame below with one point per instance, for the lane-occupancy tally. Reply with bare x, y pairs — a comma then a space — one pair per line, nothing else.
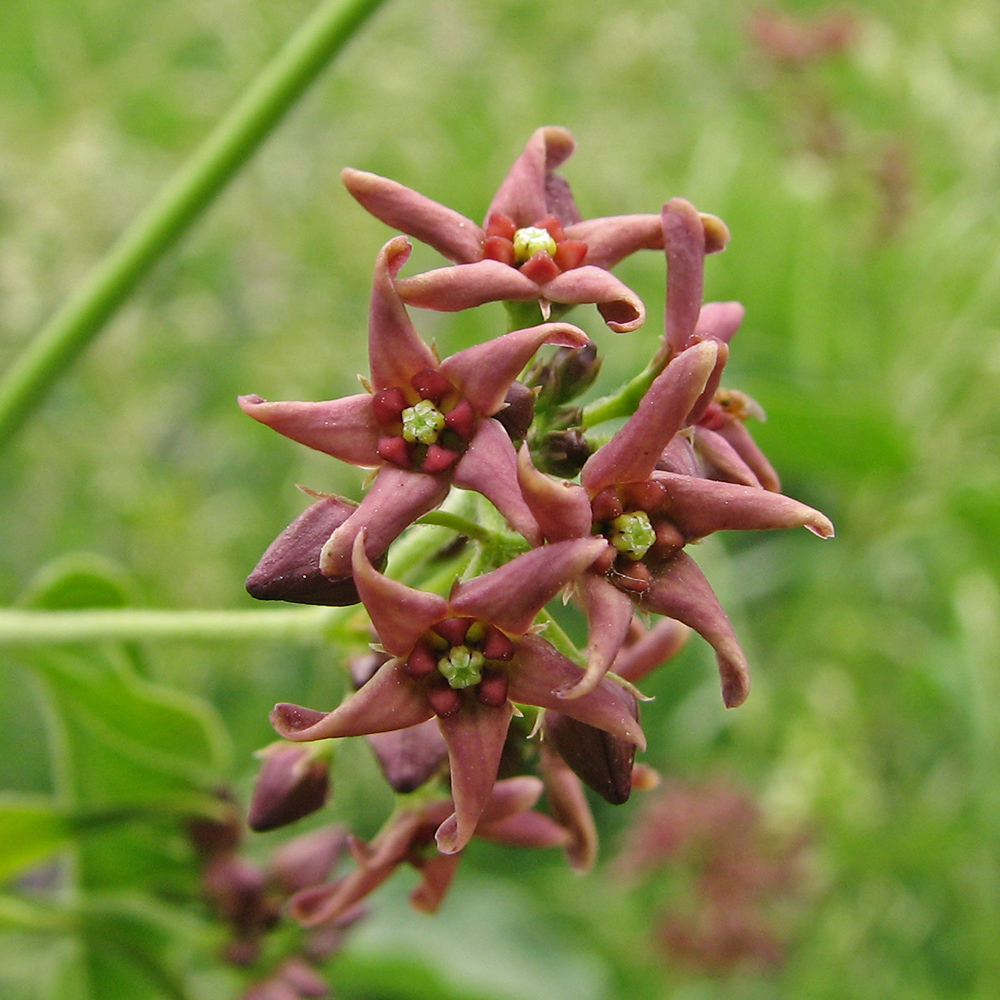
389, 701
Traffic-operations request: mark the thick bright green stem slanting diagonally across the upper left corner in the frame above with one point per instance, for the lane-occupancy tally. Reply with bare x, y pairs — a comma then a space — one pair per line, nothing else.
177, 205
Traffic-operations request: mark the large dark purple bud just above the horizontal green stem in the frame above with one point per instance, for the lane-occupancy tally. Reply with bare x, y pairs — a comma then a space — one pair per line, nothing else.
289, 569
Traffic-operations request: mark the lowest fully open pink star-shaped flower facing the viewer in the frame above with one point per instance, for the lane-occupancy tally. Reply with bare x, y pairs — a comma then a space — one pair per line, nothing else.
464, 659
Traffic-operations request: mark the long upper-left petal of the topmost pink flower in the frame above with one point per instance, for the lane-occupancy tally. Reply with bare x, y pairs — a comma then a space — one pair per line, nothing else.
447, 231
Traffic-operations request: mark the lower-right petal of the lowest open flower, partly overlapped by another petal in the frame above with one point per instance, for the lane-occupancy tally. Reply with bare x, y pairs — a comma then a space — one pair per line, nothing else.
539, 672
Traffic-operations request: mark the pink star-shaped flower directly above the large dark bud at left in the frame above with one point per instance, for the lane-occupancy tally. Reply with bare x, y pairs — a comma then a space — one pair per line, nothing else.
425, 424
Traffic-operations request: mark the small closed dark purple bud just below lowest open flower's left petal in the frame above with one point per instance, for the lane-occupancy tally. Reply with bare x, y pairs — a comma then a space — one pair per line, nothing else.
294, 781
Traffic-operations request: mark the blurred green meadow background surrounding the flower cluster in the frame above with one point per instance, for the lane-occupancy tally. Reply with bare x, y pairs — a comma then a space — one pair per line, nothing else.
860, 184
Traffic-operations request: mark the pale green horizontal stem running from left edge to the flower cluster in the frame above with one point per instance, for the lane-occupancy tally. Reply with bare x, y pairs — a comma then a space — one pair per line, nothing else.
43, 628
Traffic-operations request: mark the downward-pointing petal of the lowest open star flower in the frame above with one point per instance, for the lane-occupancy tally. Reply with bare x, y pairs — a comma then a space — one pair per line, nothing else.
475, 738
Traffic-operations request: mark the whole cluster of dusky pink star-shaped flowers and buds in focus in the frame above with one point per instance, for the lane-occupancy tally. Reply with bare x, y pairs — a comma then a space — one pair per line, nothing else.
465, 645
